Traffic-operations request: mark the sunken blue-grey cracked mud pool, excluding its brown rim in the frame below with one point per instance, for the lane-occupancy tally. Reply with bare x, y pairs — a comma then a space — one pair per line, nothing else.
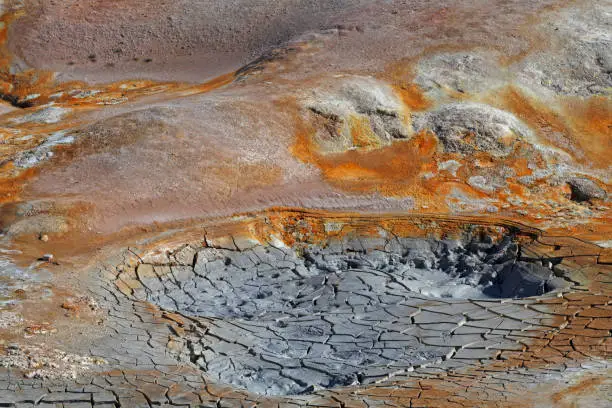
278, 322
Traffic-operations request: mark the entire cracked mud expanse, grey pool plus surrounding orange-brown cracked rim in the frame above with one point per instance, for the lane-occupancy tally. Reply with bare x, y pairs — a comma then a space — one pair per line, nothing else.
287, 313
